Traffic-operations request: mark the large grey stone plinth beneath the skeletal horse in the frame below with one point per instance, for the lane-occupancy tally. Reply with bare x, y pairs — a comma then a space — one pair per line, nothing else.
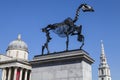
71, 65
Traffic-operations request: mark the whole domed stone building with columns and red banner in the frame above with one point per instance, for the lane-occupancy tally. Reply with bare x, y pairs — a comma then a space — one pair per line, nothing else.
15, 64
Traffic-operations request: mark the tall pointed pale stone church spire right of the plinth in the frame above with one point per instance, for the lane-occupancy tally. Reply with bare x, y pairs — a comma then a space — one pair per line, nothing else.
103, 70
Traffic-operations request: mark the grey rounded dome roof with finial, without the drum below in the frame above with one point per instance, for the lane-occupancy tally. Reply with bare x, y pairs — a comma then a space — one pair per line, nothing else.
18, 45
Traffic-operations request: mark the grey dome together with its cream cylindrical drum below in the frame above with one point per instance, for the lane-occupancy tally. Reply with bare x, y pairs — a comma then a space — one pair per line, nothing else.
18, 49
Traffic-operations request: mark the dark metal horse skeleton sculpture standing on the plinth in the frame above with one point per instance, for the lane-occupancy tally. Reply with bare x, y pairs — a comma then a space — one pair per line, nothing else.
66, 28
